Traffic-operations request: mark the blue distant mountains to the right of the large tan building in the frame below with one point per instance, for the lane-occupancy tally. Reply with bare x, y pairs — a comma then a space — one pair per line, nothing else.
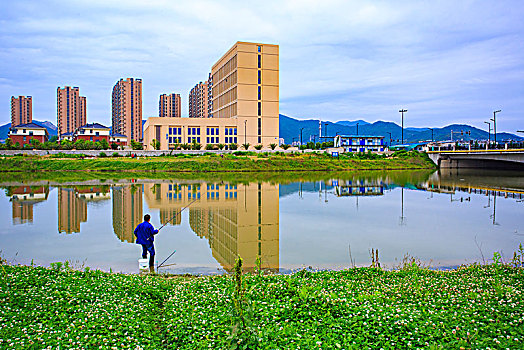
290, 131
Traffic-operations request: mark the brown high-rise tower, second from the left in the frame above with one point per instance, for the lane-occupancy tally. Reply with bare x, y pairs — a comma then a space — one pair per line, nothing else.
70, 109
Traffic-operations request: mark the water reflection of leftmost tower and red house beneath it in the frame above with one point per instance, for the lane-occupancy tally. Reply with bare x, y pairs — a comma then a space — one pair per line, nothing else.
23, 199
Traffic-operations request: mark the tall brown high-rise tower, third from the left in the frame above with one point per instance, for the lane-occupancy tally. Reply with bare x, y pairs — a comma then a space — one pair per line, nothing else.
127, 109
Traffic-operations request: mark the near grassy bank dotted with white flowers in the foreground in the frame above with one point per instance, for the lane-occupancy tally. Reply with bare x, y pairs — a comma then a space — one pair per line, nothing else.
471, 307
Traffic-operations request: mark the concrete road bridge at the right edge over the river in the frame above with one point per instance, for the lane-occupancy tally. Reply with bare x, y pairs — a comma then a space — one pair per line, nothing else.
487, 159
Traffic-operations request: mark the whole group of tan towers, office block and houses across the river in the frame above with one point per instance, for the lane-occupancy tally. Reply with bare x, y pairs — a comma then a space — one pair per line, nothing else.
238, 104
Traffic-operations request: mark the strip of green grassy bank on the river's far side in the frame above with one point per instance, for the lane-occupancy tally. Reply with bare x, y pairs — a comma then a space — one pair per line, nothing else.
240, 162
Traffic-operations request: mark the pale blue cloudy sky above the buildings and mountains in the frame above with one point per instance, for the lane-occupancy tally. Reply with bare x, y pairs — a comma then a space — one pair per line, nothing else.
445, 62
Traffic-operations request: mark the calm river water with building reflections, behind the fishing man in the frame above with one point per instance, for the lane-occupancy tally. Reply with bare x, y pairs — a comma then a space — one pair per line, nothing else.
444, 219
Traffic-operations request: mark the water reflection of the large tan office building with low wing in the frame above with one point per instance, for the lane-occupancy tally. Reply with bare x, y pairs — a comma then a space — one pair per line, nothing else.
237, 220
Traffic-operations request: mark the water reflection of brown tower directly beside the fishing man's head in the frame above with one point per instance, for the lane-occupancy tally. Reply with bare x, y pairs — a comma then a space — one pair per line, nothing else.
127, 210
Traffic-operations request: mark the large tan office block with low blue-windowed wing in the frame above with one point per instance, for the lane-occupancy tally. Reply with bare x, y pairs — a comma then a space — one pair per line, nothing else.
245, 103
